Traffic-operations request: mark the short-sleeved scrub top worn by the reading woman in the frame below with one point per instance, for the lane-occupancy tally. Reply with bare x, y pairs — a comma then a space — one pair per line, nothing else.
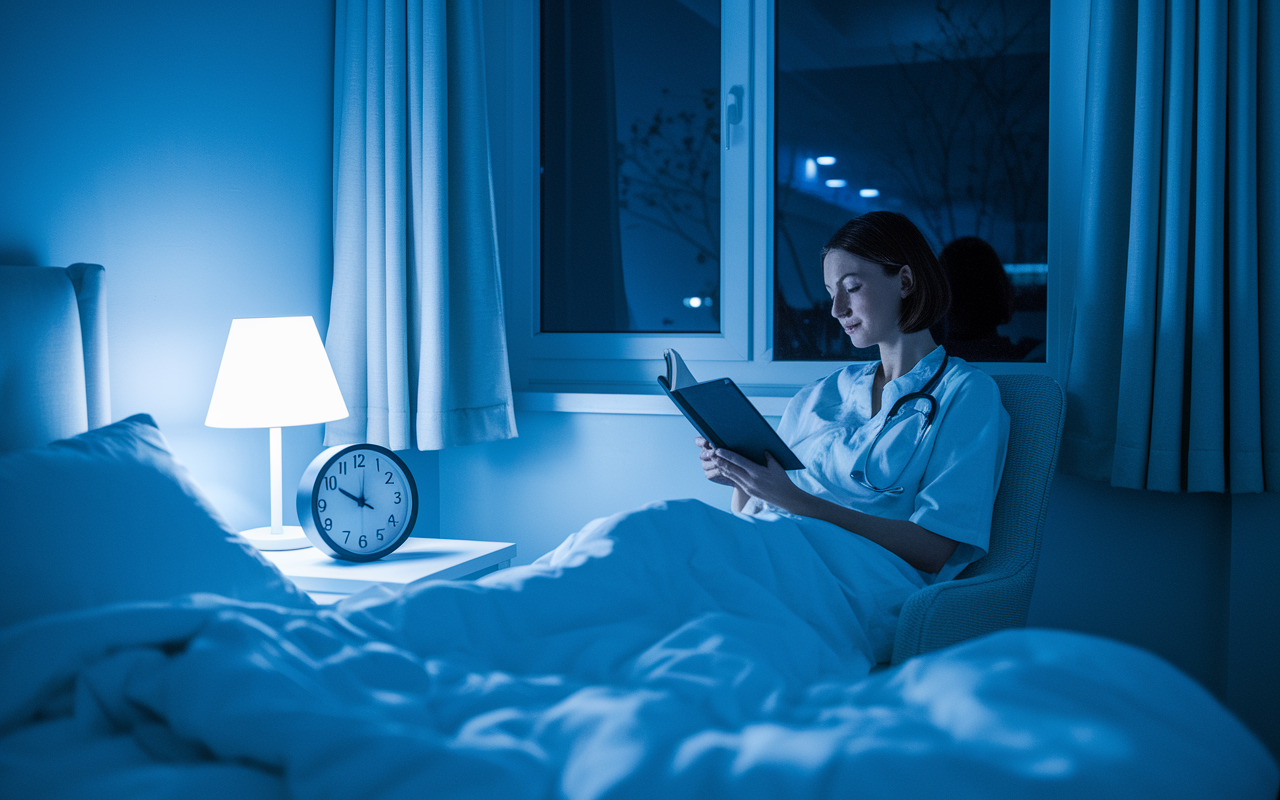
949, 482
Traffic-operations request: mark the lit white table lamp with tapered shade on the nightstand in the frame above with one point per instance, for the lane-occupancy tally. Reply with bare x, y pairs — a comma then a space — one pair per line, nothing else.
276, 373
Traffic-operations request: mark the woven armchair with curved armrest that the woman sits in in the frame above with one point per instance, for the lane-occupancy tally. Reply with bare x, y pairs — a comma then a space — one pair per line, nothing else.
995, 592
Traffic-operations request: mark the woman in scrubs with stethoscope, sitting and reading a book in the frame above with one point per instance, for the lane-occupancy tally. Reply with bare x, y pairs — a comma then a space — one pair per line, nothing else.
921, 490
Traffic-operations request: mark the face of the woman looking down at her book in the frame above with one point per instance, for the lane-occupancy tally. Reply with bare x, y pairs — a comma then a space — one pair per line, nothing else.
865, 300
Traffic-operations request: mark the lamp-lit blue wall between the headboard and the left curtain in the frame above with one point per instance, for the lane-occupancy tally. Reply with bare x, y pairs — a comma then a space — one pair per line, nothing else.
186, 148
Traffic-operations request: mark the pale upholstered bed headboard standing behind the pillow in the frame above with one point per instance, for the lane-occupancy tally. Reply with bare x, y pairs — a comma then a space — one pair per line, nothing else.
54, 380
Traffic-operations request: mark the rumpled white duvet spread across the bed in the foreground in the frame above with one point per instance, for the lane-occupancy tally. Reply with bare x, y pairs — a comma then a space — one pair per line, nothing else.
656, 655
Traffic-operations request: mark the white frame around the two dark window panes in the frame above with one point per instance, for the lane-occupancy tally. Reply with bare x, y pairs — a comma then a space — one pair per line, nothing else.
627, 364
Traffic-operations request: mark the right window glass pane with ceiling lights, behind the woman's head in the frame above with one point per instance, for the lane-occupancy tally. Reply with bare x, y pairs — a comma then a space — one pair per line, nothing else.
936, 109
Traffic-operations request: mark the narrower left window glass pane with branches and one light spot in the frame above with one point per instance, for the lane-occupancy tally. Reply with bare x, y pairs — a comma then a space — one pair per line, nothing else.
630, 148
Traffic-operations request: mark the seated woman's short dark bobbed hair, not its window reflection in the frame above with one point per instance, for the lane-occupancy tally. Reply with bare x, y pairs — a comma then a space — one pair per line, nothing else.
894, 241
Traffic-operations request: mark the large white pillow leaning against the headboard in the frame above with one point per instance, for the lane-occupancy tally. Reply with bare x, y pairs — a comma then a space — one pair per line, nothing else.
111, 516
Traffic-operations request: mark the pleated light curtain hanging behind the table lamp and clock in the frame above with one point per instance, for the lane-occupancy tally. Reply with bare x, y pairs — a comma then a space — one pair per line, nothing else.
417, 332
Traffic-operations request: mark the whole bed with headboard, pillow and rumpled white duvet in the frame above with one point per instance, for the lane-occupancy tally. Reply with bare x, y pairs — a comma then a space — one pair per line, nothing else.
168, 660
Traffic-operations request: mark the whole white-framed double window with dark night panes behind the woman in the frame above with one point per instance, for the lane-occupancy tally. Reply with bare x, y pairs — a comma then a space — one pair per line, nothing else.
620, 248
